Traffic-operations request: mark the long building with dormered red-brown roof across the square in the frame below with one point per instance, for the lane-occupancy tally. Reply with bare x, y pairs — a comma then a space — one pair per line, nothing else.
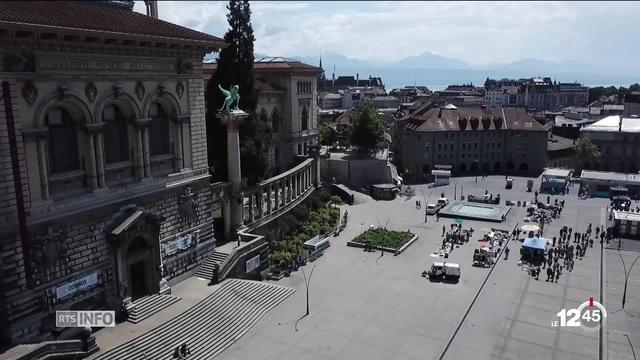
470, 140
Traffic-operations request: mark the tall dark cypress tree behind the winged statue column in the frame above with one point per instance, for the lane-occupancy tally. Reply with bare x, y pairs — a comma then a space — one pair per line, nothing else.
235, 67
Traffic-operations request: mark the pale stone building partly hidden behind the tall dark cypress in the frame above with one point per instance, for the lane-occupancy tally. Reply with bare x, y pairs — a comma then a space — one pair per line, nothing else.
287, 100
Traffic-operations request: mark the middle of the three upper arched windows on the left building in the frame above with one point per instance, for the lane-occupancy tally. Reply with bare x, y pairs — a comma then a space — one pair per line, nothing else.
116, 135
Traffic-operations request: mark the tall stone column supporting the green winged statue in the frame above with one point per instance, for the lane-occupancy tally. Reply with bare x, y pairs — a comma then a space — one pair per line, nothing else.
232, 120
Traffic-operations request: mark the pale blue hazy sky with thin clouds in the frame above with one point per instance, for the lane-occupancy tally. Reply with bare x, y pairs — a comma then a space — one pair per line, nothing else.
476, 32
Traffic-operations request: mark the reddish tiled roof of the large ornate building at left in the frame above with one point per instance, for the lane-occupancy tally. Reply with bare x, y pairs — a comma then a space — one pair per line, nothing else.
97, 17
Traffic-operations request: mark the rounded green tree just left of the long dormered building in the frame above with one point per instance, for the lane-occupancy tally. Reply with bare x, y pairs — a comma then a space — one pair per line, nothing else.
368, 131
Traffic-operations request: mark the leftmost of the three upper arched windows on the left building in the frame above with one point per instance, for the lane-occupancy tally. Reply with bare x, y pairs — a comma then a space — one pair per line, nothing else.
63, 141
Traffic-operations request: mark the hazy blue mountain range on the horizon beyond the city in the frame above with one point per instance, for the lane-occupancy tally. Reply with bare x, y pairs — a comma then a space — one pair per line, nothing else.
438, 71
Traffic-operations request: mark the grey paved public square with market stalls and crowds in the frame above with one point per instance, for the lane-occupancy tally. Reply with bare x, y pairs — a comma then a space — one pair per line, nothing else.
365, 305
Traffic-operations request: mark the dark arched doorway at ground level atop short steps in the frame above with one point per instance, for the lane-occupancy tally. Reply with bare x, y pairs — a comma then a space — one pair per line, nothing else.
138, 256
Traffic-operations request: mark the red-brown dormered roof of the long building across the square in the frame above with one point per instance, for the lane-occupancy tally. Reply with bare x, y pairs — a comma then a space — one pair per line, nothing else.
430, 118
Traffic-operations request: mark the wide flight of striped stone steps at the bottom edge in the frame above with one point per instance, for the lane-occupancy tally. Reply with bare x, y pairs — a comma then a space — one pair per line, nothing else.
209, 327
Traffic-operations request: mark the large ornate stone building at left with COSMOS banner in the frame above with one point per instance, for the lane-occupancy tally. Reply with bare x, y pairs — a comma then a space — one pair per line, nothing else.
104, 182
